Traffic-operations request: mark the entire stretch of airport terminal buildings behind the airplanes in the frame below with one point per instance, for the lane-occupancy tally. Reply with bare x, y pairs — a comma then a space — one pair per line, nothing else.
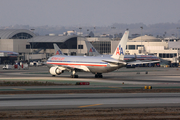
32, 47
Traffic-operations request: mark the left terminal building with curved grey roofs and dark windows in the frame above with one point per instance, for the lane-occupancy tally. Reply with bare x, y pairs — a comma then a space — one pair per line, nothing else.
32, 47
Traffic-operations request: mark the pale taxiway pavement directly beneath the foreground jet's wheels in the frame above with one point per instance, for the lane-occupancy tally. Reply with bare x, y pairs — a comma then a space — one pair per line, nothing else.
155, 76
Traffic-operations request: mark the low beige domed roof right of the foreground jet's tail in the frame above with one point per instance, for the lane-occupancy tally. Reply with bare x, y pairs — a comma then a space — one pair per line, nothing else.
146, 38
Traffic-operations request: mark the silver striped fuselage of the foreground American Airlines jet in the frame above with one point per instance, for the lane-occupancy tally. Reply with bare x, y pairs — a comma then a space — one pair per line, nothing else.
93, 64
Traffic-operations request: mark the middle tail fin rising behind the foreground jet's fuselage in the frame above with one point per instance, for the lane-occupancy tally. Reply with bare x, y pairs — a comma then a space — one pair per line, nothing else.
91, 50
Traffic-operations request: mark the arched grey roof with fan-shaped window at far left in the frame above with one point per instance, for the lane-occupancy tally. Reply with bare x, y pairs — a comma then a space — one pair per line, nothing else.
16, 34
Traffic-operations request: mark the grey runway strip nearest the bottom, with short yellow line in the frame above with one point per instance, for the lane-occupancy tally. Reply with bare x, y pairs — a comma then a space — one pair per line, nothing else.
101, 100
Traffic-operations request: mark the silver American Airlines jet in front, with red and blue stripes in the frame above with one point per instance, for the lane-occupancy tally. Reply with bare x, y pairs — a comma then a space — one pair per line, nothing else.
94, 64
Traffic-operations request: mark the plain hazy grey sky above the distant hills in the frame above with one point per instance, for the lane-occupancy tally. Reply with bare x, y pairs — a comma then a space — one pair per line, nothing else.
87, 12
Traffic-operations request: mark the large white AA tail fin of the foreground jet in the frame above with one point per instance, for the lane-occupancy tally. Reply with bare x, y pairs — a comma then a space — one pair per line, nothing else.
120, 50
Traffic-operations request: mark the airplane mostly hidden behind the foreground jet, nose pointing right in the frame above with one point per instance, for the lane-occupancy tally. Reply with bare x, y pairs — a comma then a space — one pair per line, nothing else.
138, 59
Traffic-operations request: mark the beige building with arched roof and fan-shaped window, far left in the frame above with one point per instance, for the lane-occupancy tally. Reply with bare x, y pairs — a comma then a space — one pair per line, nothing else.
14, 40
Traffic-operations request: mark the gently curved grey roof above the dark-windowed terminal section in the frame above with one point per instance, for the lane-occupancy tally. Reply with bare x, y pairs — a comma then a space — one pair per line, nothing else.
51, 39
